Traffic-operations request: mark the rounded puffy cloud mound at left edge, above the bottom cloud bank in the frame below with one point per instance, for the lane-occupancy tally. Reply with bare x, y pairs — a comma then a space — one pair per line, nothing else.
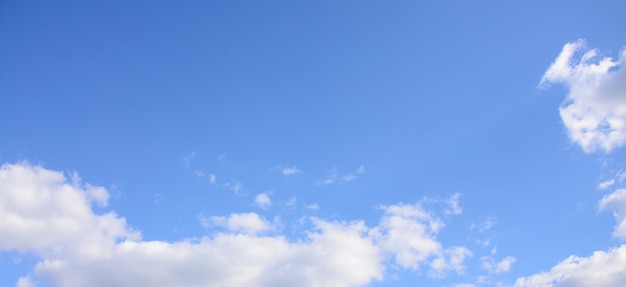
40, 209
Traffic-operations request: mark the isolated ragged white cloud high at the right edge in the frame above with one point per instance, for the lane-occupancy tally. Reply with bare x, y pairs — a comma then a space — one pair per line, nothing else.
594, 111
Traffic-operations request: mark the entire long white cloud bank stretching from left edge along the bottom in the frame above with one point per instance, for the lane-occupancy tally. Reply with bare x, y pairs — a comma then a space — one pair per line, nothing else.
44, 213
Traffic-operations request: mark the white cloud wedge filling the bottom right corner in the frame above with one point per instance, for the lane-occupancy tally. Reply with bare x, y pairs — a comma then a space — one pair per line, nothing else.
606, 269
